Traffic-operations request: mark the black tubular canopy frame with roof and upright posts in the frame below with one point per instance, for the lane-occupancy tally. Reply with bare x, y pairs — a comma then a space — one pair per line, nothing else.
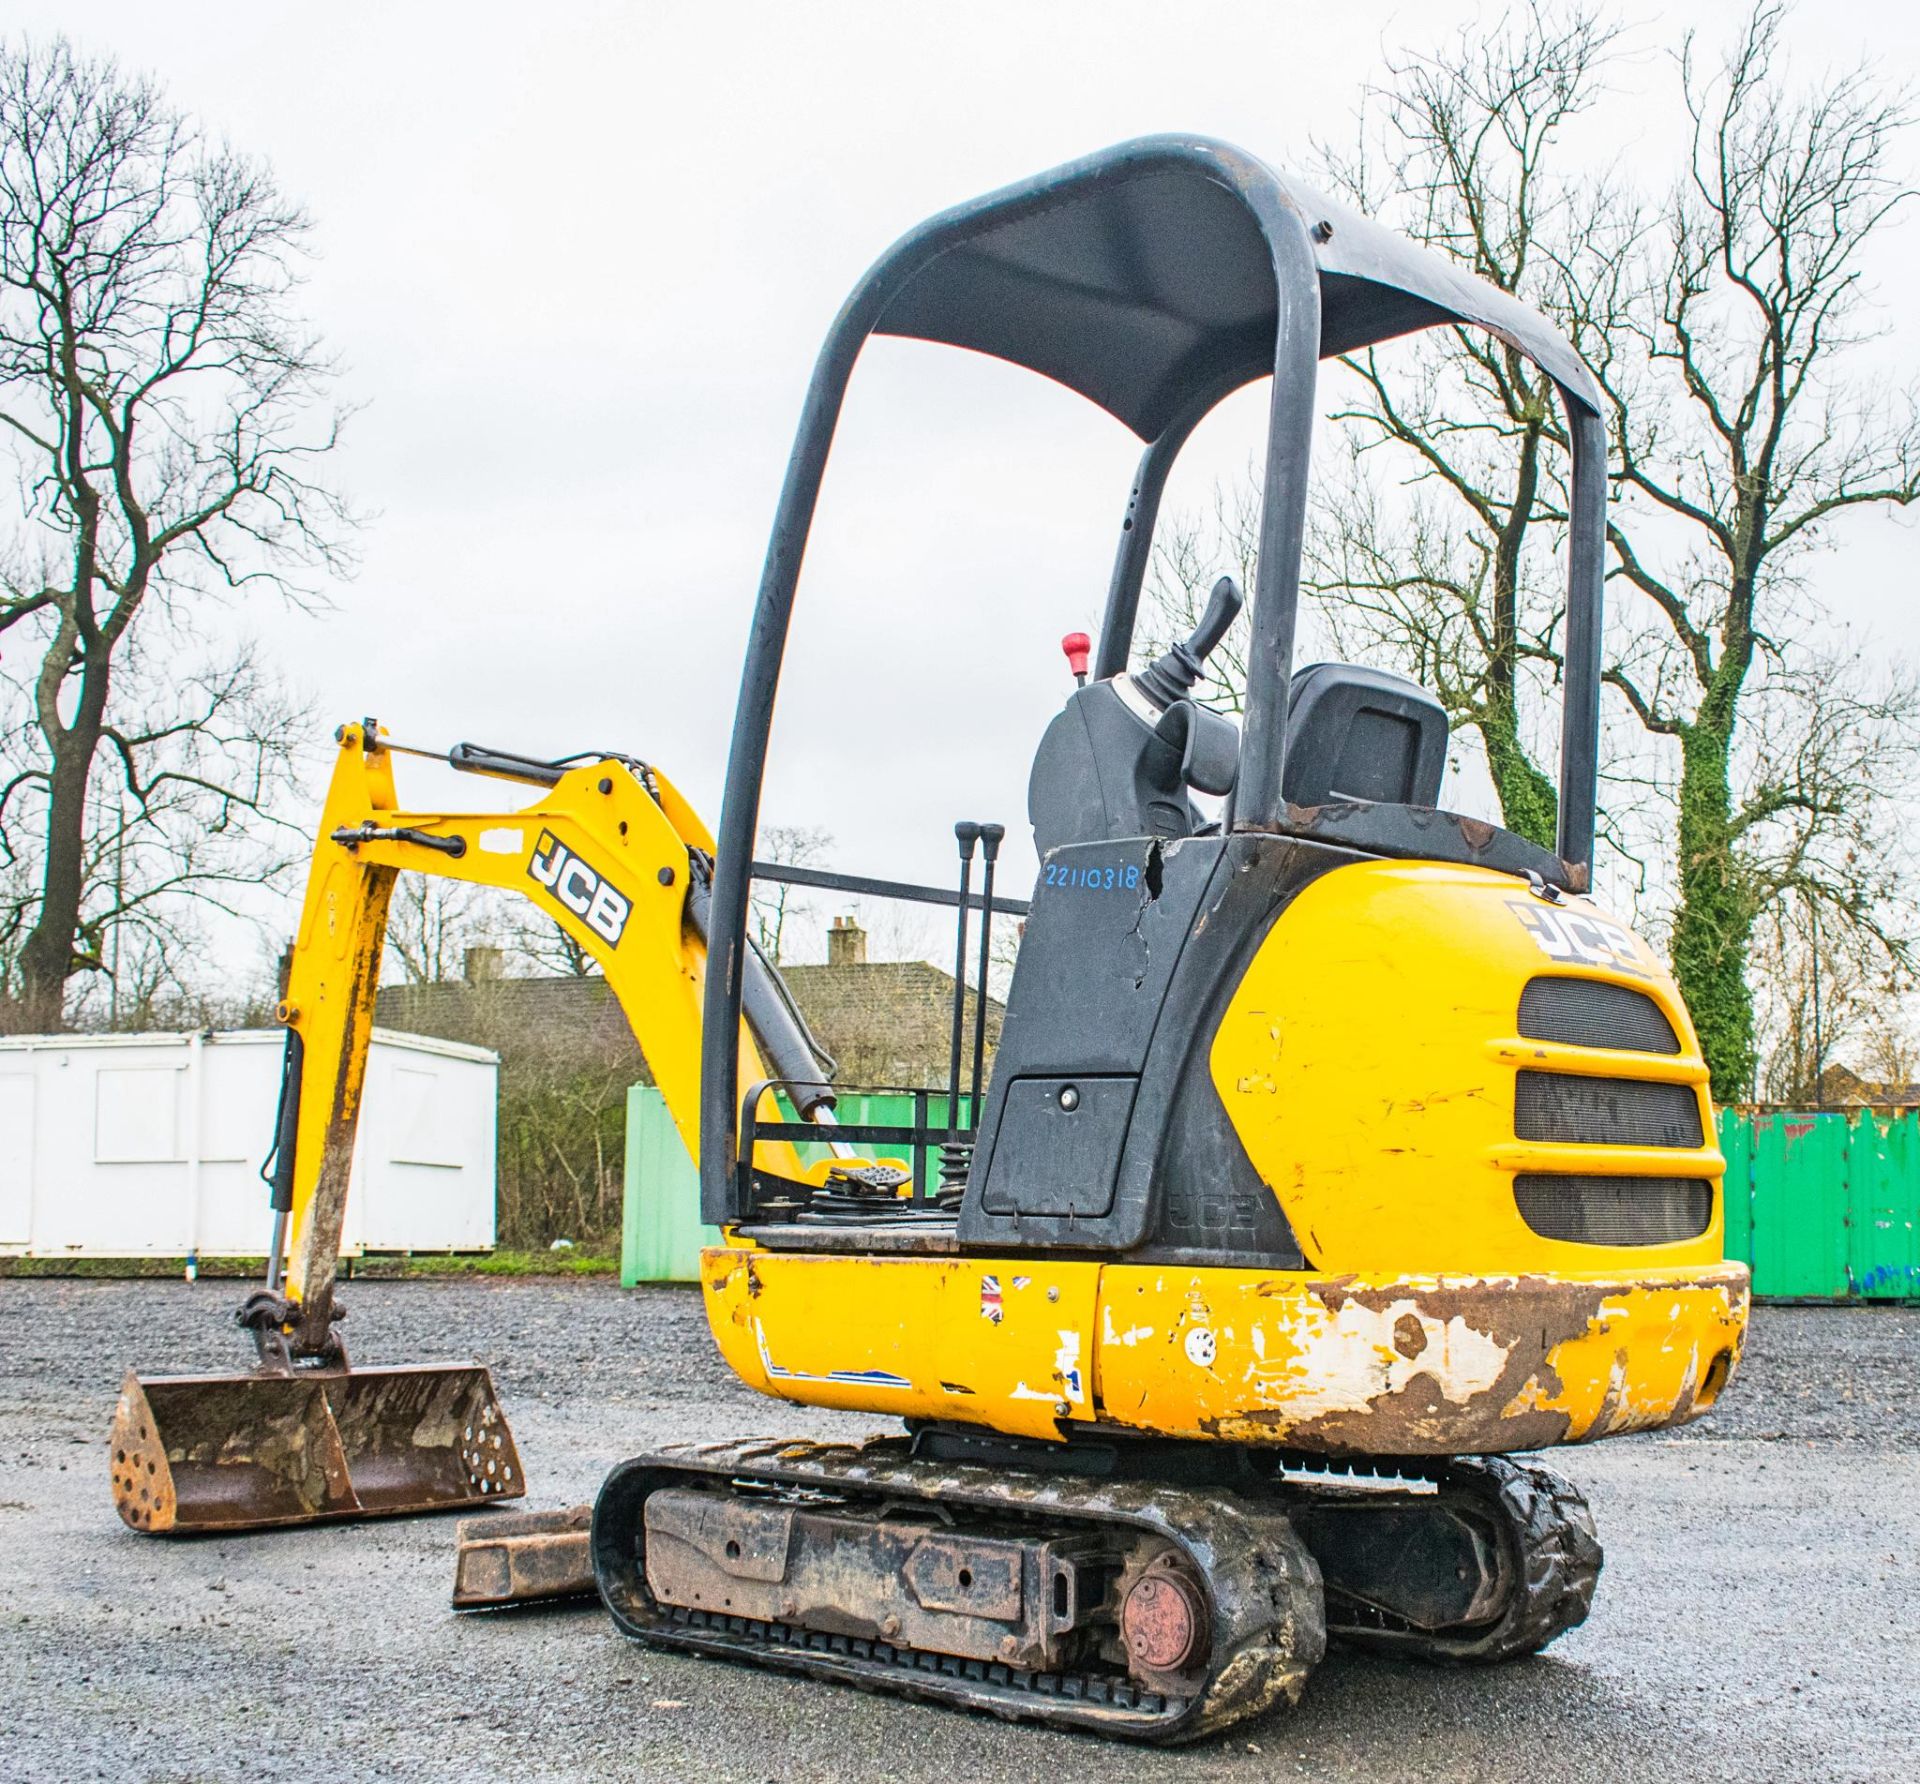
1157, 279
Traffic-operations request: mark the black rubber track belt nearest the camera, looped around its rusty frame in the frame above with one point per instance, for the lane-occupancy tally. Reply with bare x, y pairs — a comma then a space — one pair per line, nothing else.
1264, 1587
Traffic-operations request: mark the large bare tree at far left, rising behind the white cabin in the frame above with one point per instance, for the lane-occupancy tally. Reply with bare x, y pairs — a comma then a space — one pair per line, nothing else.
164, 410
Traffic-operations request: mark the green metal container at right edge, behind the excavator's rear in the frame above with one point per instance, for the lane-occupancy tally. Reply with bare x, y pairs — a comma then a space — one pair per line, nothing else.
1825, 1207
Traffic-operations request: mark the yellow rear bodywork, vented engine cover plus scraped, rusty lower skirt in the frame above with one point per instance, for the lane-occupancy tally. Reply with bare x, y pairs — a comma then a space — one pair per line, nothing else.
1376, 1069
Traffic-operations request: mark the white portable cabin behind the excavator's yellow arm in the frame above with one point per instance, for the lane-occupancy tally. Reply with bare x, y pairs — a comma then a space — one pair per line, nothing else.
151, 1145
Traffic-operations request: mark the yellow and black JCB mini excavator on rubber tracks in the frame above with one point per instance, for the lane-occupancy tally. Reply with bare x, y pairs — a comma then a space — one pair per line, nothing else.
1335, 1151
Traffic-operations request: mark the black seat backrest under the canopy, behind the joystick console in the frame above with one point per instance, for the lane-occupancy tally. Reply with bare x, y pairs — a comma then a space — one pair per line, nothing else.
1362, 735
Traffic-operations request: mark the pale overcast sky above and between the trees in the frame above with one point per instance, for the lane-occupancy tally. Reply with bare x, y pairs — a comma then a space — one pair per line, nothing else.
577, 262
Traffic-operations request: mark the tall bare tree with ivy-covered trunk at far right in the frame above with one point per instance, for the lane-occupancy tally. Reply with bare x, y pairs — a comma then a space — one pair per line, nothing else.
1723, 325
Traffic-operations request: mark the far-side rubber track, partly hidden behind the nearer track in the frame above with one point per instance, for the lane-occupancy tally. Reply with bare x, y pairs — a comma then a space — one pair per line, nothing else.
1554, 1553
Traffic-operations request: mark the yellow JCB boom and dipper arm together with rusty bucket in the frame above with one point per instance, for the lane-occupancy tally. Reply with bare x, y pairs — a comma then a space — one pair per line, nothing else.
613, 854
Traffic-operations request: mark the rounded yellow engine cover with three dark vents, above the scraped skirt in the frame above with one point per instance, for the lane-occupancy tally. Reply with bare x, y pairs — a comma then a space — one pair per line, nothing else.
1374, 1065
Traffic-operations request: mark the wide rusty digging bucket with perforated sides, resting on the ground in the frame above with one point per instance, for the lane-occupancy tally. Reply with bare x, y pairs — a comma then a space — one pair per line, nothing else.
247, 1453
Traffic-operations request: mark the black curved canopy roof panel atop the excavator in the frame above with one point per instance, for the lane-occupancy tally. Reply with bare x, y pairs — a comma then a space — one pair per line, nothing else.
1145, 279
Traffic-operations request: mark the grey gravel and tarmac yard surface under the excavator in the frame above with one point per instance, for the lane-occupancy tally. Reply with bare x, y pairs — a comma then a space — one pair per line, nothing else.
1758, 1618
